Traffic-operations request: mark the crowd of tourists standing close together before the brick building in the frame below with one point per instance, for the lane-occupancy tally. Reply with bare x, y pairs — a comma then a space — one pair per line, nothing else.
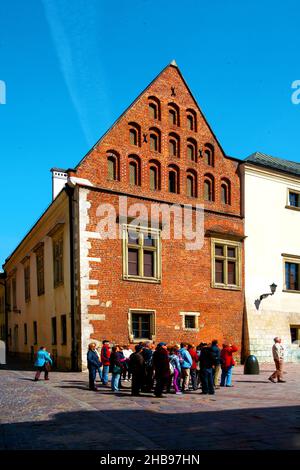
162, 368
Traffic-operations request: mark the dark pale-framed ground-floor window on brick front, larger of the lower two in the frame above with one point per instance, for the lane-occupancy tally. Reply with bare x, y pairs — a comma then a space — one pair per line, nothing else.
142, 324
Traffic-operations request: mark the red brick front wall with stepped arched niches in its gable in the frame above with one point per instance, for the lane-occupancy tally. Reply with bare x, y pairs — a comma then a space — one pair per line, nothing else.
186, 275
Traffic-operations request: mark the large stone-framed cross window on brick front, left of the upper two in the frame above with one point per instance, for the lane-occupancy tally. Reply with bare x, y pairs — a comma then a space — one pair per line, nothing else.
141, 253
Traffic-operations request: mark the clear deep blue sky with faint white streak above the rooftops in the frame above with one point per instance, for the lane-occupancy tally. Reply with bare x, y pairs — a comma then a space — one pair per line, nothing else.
71, 68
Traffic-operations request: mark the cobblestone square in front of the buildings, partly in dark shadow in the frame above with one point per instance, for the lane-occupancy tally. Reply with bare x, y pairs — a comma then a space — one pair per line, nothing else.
63, 414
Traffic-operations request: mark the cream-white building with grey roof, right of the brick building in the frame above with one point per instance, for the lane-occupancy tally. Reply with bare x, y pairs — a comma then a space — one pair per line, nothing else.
272, 255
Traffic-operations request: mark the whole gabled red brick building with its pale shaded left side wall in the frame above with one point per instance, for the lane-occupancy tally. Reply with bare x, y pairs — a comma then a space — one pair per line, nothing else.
68, 283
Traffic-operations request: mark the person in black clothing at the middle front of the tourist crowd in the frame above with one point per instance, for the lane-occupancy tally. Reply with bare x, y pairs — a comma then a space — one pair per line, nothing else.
161, 366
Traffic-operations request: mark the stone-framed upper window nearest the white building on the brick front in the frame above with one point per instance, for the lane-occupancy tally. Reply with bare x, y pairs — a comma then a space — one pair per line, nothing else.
226, 264
